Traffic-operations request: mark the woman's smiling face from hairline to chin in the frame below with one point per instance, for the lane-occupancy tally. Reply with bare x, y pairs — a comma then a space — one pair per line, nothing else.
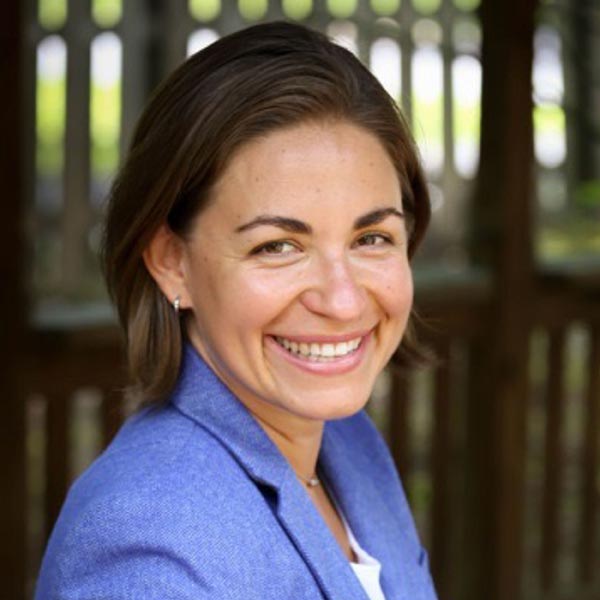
296, 273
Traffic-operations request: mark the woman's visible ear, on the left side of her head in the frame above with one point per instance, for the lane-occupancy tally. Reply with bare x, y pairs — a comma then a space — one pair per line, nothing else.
163, 258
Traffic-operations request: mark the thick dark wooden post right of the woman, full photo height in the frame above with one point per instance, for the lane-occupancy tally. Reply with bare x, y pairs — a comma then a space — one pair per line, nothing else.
501, 241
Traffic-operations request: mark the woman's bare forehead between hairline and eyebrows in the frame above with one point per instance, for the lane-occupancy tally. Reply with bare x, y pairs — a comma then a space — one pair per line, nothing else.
309, 166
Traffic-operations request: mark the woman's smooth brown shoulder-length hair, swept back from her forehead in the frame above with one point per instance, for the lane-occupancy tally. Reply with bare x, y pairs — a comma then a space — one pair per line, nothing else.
246, 84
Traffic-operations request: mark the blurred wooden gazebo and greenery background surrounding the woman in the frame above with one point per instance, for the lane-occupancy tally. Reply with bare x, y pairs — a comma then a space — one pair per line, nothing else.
498, 441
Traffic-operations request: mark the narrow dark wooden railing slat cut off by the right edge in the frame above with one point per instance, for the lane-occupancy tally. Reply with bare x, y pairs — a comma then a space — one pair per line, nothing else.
589, 553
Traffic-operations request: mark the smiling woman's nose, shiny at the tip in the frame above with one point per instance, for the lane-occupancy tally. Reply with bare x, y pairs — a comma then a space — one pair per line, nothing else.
336, 292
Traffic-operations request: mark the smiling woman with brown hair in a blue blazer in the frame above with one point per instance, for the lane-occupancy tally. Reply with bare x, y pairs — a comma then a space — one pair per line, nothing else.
257, 247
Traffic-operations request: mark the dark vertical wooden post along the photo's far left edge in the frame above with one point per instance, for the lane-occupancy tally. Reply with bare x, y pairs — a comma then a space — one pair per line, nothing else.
12, 306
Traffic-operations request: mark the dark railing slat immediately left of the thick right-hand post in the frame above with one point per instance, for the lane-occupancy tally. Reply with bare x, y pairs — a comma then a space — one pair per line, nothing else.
441, 452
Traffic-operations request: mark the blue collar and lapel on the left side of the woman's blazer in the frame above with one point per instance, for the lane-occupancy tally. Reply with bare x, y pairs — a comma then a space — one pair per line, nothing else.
205, 399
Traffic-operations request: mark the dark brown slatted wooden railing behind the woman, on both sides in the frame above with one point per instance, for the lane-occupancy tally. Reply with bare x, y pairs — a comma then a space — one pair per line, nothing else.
75, 403
